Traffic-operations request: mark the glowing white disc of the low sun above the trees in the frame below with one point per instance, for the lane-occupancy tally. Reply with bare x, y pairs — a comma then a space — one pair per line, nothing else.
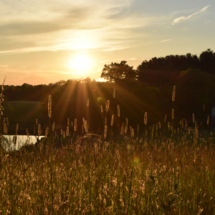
81, 63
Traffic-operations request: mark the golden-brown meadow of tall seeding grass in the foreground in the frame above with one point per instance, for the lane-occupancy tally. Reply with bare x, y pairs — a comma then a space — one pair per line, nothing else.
153, 169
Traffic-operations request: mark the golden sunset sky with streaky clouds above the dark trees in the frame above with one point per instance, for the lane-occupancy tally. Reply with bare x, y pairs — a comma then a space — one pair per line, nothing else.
45, 41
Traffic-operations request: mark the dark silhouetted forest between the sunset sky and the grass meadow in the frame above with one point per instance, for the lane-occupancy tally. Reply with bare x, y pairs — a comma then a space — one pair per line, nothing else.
148, 88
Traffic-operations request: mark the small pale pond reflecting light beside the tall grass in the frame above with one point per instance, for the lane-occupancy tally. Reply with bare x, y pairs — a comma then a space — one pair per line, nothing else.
15, 142
